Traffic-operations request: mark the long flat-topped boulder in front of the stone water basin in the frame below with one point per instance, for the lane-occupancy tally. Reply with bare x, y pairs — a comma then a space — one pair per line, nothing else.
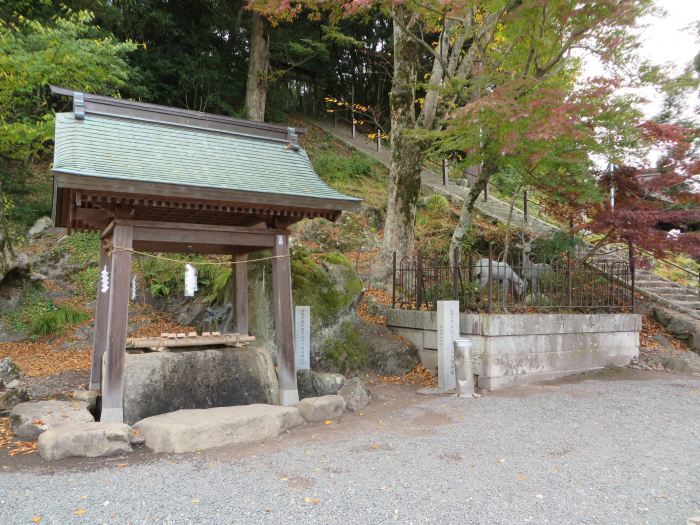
193, 430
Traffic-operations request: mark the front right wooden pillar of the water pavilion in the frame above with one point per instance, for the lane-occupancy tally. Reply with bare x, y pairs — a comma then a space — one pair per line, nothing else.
284, 328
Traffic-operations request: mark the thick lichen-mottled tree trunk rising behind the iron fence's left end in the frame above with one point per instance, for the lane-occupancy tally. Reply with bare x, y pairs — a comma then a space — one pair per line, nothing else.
406, 151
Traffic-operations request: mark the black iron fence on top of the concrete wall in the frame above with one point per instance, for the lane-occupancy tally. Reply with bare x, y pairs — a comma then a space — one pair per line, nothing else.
483, 284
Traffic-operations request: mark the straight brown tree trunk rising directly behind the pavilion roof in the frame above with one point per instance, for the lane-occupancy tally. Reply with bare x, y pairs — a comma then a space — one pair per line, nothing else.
256, 89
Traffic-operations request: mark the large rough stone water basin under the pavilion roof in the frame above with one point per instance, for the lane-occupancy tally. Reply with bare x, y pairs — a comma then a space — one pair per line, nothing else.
162, 382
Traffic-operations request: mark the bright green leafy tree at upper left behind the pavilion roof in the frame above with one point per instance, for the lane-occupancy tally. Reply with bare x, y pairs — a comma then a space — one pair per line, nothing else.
67, 51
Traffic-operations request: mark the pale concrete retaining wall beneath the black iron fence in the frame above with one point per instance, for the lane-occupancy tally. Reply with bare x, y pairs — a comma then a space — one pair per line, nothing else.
512, 350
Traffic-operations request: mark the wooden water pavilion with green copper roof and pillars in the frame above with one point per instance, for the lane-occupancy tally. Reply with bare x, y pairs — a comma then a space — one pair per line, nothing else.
160, 179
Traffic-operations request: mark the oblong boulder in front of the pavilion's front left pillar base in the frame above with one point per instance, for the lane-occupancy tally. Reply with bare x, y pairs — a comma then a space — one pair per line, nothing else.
85, 440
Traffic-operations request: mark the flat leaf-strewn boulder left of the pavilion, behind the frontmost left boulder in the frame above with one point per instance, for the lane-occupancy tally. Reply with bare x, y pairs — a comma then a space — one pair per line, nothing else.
28, 420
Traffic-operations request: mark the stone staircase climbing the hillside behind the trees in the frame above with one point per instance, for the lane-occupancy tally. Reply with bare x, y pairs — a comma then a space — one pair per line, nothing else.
659, 290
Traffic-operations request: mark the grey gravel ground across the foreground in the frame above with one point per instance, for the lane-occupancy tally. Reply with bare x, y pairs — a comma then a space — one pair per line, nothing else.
613, 450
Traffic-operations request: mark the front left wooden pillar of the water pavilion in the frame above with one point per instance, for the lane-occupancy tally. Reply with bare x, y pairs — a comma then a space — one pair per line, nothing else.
113, 371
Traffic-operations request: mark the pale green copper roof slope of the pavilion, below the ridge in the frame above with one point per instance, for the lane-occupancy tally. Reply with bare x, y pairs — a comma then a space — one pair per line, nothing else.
141, 150
